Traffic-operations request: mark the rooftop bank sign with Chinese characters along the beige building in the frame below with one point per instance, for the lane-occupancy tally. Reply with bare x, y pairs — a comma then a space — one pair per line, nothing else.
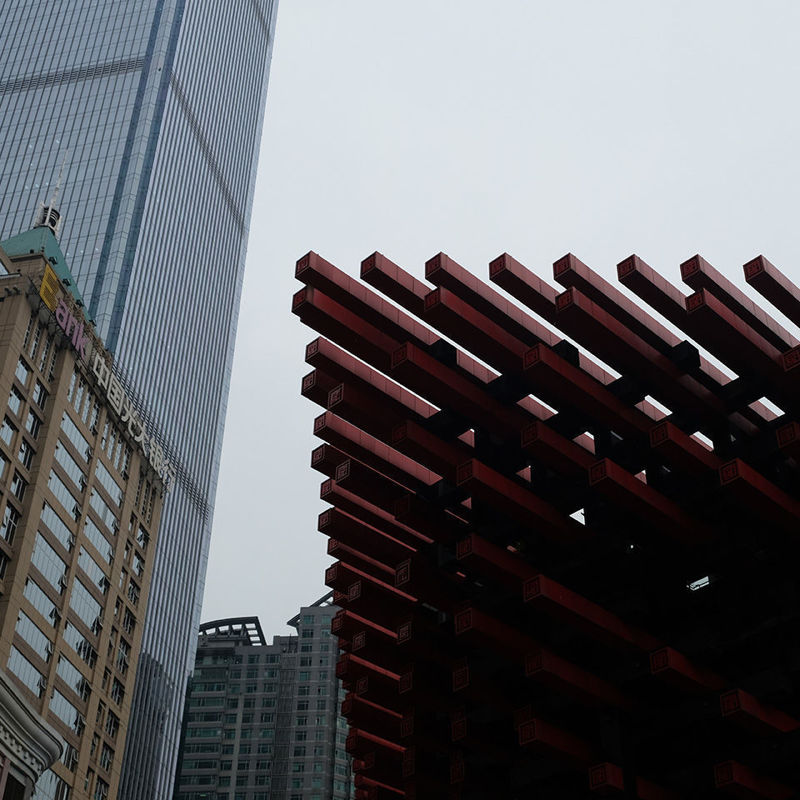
94, 357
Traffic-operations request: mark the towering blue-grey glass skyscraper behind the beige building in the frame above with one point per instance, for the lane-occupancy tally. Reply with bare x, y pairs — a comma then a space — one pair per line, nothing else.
151, 111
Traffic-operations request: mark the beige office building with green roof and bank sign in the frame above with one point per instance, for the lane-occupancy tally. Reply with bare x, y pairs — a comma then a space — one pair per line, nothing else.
82, 480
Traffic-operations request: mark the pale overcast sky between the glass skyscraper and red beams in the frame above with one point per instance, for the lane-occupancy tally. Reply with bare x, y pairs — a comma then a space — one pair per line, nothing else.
597, 127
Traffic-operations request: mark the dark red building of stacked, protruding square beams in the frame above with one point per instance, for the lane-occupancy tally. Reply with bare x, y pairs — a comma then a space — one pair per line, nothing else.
563, 571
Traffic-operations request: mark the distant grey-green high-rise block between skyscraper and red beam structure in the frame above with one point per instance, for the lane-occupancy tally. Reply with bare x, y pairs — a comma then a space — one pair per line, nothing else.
263, 721
